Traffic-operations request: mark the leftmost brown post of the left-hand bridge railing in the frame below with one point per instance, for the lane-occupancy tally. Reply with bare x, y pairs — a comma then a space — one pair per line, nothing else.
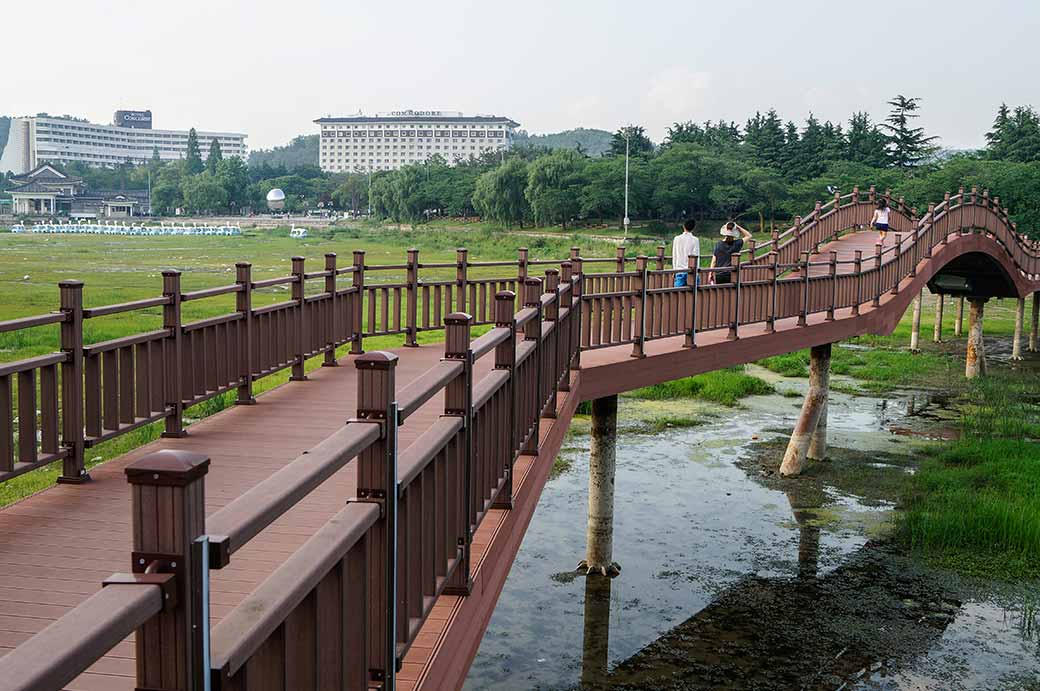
73, 470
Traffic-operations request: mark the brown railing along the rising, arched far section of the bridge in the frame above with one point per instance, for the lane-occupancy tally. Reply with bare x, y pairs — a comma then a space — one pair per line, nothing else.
633, 308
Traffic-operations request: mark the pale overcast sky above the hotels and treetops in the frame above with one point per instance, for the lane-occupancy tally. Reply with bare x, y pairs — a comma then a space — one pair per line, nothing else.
270, 68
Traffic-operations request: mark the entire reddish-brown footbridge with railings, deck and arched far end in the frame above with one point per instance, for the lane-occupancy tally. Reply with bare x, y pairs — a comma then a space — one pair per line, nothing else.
355, 530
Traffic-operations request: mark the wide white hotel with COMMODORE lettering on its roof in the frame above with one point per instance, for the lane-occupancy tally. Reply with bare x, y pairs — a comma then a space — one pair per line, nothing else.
388, 141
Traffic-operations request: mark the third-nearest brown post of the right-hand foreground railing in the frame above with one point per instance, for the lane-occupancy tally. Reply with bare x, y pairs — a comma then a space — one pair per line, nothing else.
459, 403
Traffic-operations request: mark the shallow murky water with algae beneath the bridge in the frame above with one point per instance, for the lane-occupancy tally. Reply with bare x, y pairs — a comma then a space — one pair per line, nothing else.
725, 585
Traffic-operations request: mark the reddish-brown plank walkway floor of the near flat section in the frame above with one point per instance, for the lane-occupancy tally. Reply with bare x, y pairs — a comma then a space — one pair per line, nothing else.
60, 545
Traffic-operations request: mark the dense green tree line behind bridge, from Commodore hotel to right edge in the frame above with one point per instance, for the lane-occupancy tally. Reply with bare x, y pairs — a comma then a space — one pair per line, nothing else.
767, 169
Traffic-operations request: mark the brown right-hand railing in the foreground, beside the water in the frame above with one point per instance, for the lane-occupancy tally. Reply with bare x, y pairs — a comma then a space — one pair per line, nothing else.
347, 606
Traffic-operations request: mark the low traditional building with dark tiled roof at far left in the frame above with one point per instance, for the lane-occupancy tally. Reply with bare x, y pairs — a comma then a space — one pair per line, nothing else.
49, 191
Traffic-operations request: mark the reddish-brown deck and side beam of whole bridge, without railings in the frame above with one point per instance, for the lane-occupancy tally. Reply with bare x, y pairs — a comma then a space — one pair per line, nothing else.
60, 545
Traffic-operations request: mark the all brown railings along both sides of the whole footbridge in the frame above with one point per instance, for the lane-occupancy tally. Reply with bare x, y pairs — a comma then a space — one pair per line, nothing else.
348, 605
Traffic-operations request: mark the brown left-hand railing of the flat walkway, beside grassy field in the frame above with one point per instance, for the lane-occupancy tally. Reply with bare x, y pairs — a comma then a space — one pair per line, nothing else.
200, 345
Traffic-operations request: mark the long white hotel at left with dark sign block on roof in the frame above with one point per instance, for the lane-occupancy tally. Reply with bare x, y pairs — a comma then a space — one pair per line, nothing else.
36, 141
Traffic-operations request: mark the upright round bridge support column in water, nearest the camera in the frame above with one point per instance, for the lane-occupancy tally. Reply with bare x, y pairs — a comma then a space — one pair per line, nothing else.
600, 536
